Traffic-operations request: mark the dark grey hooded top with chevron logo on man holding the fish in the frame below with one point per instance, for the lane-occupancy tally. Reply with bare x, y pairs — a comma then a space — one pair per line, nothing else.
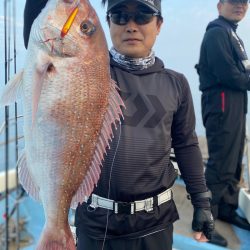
159, 114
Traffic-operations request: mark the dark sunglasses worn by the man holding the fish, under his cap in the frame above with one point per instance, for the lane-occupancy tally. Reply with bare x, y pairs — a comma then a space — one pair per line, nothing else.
140, 18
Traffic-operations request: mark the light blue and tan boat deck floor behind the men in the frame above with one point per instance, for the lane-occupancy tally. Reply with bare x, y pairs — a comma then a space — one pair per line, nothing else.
32, 220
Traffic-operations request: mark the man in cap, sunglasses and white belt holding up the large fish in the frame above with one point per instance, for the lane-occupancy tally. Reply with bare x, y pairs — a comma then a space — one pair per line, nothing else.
132, 206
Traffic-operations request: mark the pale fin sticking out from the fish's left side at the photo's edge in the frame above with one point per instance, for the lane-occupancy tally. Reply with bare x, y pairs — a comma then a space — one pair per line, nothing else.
12, 90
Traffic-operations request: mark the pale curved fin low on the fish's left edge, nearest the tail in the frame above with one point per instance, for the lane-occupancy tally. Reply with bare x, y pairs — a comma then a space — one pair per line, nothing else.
25, 177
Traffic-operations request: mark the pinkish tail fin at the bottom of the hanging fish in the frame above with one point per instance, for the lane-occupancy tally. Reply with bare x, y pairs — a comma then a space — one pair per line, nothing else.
56, 239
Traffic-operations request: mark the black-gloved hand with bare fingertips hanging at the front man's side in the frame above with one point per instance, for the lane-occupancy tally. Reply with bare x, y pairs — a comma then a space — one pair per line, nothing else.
203, 224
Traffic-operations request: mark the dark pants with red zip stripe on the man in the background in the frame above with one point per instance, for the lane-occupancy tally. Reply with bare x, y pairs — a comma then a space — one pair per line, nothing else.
224, 117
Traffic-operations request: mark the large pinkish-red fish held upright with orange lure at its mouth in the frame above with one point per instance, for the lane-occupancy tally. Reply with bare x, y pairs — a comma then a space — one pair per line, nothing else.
69, 105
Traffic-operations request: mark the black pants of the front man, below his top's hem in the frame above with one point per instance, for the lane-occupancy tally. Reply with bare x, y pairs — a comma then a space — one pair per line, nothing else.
162, 240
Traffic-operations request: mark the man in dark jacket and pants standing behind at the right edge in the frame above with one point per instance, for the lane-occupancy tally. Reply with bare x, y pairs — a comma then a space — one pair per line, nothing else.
224, 74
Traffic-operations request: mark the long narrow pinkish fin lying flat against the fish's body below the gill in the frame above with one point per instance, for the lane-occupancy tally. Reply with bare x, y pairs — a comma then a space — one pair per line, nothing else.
44, 65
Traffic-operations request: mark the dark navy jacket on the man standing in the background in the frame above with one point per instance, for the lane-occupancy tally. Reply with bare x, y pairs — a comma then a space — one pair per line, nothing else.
221, 55
